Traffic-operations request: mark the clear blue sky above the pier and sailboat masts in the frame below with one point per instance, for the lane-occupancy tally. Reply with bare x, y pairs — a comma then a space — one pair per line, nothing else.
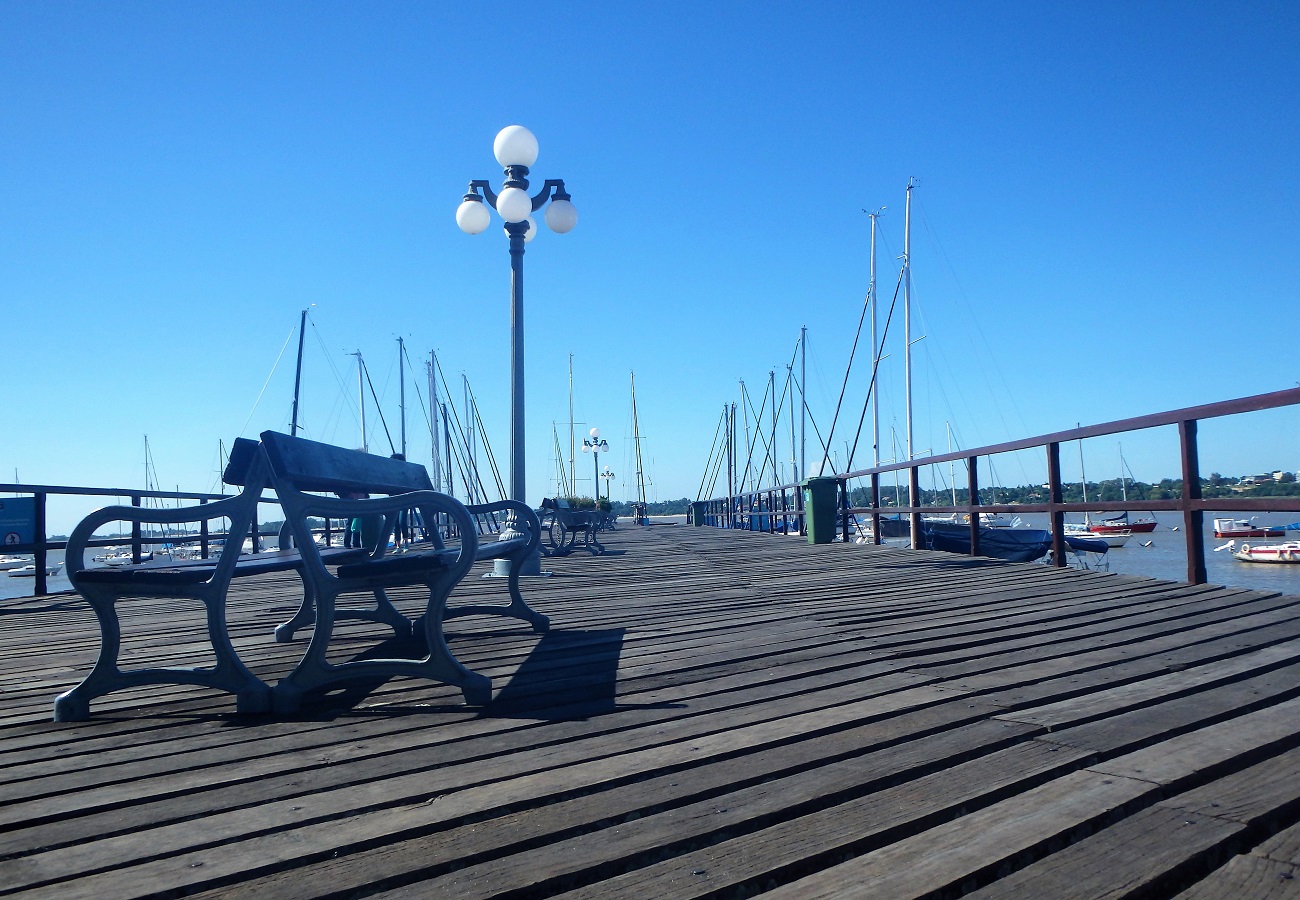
1106, 224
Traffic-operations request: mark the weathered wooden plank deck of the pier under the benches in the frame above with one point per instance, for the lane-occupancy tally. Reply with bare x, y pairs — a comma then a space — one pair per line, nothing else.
713, 715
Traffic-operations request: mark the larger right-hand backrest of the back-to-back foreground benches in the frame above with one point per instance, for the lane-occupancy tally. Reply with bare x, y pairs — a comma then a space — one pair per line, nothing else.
323, 468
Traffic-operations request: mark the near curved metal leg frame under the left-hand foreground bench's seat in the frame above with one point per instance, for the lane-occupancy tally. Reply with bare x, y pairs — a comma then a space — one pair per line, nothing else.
253, 695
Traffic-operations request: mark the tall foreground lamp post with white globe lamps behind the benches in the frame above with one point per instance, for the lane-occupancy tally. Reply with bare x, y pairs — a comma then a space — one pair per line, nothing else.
515, 149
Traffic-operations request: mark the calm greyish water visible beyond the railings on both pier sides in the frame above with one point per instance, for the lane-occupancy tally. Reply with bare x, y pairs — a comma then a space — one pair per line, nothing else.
1165, 559
